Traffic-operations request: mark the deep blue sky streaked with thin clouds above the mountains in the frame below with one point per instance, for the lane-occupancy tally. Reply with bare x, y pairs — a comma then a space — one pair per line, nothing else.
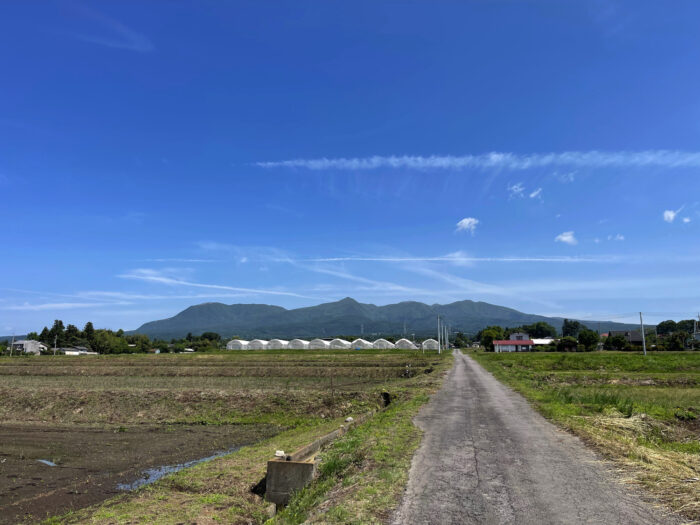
538, 155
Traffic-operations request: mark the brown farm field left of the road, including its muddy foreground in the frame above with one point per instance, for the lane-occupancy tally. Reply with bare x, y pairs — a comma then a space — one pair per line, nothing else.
104, 420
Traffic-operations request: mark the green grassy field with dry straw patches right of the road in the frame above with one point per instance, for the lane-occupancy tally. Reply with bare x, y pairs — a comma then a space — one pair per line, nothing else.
641, 411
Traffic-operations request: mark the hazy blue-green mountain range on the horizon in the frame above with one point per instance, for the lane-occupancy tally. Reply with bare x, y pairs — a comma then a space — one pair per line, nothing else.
346, 317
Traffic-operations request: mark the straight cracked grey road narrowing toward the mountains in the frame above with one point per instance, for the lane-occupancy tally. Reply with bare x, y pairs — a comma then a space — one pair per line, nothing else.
488, 457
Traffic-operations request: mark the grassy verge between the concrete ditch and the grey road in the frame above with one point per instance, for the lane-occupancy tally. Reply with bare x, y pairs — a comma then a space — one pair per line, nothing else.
363, 474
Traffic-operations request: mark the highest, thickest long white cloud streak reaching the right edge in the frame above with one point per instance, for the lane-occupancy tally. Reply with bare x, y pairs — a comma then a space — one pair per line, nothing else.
502, 160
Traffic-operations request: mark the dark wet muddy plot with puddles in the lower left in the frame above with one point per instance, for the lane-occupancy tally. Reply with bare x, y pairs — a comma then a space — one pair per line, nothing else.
92, 462
